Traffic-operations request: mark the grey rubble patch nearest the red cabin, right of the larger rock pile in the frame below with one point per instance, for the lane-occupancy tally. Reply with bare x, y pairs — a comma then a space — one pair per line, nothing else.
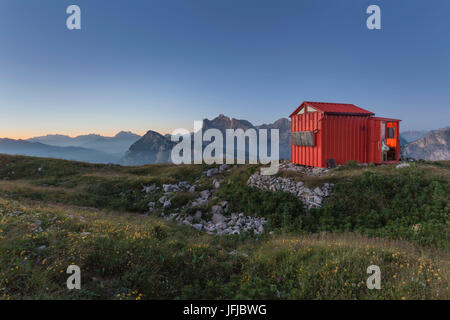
311, 198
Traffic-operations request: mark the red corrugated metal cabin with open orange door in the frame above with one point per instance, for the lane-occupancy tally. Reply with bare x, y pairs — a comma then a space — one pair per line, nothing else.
326, 133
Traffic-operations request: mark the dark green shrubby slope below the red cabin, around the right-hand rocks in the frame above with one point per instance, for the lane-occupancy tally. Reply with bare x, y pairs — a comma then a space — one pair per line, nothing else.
410, 204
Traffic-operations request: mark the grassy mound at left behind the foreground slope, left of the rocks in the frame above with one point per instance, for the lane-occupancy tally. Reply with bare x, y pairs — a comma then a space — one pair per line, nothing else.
82, 184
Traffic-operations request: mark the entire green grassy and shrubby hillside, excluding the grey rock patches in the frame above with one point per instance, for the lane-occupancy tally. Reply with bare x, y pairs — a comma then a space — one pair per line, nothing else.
54, 213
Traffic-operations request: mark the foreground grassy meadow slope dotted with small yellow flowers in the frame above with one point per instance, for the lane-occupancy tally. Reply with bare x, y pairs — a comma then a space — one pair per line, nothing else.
127, 256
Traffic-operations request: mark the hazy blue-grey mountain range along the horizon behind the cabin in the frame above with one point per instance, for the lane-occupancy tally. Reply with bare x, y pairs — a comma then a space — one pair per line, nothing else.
127, 148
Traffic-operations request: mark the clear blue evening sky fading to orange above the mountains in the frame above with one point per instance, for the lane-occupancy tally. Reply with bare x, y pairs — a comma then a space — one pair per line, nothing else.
141, 65
